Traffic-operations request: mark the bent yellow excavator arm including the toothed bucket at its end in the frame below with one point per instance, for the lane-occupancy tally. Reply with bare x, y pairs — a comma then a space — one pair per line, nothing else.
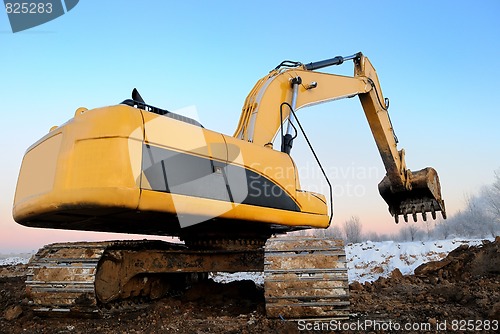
299, 85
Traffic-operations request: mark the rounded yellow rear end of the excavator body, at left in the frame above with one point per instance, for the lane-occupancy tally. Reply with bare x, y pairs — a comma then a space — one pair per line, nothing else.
86, 163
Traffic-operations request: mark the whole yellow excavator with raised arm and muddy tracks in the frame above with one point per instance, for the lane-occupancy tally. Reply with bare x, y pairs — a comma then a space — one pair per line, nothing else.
136, 168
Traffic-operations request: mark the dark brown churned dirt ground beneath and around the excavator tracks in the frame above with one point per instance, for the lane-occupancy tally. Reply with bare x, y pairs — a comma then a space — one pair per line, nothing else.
460, 293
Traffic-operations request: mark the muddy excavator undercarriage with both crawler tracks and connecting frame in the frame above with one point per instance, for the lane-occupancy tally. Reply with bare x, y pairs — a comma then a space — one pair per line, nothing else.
305, 278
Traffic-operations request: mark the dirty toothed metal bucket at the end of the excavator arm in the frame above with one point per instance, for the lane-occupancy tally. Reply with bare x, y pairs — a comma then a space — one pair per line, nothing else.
424, 196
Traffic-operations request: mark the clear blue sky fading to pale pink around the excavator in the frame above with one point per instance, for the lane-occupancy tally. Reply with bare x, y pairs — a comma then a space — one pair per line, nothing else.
437, 62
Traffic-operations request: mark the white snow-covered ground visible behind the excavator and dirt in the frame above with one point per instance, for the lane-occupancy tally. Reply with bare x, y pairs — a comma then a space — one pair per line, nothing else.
367, 261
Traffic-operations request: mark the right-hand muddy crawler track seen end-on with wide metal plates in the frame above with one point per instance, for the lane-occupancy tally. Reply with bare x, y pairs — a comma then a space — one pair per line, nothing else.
306, 278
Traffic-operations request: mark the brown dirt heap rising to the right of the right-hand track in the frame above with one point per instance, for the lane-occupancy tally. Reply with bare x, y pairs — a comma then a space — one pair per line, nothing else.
464, 285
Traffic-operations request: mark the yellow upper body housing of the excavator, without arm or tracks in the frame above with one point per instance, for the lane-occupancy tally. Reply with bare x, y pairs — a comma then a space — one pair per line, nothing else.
93, 169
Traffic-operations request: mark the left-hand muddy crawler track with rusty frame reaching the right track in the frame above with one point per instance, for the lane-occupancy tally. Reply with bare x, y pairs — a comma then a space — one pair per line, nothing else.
85, 278
